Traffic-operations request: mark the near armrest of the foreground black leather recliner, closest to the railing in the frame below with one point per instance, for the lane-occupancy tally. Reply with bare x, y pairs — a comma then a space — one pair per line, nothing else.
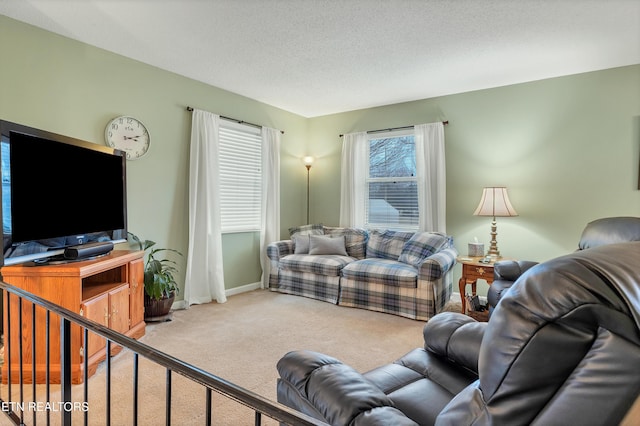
341, 394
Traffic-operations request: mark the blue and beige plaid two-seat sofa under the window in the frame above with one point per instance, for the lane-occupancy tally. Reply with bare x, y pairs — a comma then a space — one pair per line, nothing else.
401, 273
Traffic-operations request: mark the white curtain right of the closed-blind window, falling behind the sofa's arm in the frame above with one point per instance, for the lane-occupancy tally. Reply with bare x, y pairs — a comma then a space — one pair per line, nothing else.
270, 230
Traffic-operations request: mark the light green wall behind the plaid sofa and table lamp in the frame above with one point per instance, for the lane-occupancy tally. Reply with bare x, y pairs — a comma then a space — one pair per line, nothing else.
567, 148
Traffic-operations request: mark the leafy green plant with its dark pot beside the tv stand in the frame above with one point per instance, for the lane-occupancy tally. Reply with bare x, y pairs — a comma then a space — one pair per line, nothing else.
160, 286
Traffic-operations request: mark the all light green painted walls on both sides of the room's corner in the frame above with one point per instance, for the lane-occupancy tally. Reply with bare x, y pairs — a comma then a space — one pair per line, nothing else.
567, 148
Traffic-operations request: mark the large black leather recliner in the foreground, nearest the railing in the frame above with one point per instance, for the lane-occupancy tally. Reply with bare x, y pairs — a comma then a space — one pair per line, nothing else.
563, 347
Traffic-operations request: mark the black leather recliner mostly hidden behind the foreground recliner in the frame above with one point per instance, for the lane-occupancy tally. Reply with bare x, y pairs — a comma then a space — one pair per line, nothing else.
599, 232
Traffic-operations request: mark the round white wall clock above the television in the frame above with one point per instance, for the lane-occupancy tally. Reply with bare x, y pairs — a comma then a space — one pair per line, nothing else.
129, 135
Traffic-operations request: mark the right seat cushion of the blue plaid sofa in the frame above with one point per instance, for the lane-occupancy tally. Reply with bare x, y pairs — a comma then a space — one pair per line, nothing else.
382, 271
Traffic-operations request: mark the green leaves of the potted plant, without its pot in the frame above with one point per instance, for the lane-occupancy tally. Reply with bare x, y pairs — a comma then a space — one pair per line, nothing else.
159, 274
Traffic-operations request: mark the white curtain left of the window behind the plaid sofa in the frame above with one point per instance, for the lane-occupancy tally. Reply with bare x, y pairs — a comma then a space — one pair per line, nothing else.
352, 182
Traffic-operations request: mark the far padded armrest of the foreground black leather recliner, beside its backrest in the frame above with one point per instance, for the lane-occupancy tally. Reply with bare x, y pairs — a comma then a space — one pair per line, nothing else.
456, 337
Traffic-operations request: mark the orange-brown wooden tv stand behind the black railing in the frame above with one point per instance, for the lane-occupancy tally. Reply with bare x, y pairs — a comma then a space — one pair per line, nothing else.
108, 290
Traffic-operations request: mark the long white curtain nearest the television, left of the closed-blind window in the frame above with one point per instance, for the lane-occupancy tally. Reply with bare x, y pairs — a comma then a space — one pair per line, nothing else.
204, 280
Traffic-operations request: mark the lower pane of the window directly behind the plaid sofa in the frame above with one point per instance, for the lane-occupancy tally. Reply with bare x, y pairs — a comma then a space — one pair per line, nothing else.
393, 203
